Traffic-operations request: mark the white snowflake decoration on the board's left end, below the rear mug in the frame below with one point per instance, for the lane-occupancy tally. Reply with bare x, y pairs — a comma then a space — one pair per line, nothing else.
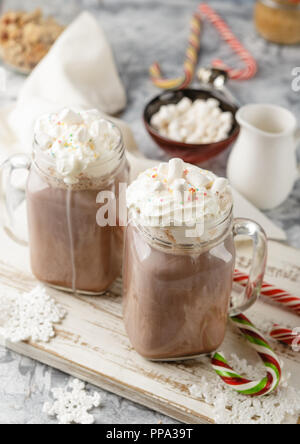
30, 316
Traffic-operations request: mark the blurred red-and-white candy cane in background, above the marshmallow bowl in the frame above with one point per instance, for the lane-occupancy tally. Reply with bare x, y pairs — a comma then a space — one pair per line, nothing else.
251, 66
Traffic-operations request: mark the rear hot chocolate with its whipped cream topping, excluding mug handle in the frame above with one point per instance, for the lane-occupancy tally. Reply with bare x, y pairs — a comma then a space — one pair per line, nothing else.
77, 155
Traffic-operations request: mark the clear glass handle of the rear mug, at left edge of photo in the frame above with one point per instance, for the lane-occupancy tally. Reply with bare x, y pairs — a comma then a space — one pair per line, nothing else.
11, 196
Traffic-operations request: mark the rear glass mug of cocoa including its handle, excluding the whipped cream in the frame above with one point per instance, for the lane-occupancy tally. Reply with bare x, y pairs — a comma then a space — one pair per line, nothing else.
68, 248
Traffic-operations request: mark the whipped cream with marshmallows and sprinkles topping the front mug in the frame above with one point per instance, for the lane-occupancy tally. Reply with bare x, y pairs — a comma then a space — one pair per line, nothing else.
168, 191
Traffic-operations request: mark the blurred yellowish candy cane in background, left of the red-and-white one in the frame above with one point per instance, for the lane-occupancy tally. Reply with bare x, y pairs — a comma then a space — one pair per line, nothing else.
189, 64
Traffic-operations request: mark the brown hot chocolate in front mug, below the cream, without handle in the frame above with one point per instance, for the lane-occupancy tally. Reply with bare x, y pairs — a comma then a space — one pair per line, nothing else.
176, 304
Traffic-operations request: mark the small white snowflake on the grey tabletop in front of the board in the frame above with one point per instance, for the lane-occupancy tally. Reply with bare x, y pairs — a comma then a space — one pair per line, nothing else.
72, 404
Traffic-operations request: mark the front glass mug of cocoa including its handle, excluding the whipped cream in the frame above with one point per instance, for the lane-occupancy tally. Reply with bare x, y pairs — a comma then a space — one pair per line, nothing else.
177, 299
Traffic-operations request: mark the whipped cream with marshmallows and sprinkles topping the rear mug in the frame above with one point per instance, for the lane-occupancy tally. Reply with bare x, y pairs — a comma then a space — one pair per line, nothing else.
76, 140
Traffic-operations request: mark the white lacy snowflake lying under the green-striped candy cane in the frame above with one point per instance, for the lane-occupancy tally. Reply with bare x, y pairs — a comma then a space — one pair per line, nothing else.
232, 408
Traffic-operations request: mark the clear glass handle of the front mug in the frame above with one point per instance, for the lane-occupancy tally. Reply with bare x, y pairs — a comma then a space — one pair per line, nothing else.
249, 228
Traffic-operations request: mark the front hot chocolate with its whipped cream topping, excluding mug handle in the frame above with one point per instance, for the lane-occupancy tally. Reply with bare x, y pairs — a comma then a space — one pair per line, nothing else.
177, 284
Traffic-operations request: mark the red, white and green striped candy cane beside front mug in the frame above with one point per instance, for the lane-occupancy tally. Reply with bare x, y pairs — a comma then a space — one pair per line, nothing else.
260, 345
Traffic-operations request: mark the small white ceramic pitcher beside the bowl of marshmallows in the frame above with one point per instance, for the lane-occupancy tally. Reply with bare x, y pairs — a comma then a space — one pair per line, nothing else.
263, 163
